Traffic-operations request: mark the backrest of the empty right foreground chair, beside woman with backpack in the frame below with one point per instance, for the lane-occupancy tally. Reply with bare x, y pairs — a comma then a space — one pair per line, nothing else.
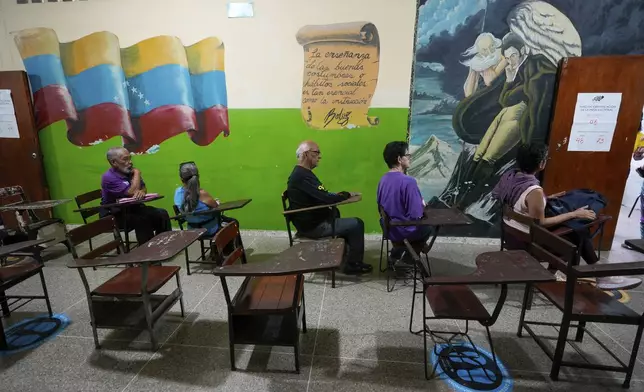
552, 249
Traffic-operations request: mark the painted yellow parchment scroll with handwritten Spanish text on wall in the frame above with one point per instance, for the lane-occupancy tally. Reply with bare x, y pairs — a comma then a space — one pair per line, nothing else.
341, 64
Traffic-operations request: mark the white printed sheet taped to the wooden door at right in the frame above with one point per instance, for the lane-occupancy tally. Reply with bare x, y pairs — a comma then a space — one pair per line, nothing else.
594, 121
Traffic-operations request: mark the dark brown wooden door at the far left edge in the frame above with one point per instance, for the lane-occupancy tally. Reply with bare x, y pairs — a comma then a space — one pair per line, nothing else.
20, 159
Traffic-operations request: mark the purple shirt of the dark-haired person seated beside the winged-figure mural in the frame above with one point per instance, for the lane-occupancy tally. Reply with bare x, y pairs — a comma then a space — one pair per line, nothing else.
399, 196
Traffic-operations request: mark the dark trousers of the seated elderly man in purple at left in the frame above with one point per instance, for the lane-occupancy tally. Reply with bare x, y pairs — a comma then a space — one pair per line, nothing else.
146, 221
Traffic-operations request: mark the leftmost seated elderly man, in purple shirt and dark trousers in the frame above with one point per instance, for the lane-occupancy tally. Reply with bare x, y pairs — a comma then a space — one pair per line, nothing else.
124, 180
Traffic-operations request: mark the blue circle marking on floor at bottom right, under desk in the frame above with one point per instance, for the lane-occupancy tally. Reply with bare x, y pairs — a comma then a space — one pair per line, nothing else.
465, 370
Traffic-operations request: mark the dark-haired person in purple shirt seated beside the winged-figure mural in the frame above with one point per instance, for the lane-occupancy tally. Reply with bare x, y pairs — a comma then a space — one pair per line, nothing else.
399, 196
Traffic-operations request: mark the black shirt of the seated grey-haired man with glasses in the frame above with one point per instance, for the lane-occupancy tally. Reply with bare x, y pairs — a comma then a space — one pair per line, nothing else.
304, 189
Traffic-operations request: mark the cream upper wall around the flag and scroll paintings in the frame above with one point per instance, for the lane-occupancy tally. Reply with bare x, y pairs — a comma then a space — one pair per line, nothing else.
263, 60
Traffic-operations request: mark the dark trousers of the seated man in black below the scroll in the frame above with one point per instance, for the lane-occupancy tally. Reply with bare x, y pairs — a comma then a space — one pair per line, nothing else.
351, 229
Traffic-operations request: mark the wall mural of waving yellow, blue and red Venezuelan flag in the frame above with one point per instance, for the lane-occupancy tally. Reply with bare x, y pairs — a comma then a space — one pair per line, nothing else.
146, 93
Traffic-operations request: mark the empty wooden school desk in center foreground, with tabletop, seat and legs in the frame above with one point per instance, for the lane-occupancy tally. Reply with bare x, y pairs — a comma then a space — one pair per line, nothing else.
269, 306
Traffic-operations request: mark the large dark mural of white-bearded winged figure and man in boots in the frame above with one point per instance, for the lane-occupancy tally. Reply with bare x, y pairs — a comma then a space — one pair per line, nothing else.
484, 82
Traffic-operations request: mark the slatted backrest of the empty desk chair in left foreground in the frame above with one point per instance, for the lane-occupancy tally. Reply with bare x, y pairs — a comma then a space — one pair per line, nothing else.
90, 231
